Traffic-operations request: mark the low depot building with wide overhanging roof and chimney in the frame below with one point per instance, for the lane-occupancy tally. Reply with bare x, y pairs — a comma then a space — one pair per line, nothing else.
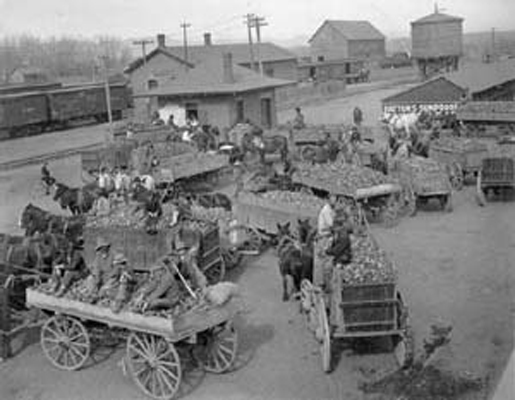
216, 91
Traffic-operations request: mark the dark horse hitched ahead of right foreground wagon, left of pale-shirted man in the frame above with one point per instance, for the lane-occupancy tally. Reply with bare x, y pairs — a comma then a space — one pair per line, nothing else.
292, 262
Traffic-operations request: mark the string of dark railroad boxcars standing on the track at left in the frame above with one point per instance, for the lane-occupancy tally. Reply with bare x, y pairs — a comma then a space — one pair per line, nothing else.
30, 113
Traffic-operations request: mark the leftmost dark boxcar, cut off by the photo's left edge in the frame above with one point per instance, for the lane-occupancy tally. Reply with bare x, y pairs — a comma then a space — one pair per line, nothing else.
22, 114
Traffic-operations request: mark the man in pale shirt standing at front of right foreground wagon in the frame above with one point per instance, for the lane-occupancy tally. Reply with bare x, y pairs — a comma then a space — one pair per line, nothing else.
323, 242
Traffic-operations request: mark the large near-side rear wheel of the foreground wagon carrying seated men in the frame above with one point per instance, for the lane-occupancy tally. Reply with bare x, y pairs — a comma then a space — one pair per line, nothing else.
154, 365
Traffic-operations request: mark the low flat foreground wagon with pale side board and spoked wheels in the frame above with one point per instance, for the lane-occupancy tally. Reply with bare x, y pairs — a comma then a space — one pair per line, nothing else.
154, 344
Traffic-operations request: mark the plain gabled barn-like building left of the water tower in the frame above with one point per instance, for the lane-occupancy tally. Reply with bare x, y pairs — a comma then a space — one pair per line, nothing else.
340, 40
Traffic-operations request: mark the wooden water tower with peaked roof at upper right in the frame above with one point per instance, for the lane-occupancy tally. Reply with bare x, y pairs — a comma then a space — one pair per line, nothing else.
437, 43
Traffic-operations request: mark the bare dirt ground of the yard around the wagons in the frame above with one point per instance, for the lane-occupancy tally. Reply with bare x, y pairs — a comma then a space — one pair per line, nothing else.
452, 267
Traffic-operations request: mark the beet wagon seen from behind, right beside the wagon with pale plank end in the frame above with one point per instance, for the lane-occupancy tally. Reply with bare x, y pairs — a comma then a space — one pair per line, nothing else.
424, 179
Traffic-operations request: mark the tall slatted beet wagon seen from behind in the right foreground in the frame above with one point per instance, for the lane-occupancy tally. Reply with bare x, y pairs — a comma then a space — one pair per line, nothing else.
358, 300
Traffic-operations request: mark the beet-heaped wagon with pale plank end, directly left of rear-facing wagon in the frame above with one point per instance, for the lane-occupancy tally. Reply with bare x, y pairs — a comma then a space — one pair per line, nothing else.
380, 196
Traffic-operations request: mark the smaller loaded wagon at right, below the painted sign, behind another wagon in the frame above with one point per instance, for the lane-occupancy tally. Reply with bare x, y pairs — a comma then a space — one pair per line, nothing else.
463, 157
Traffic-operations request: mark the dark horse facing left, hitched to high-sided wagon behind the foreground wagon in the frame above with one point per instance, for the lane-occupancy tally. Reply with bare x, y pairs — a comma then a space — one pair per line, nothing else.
36, 220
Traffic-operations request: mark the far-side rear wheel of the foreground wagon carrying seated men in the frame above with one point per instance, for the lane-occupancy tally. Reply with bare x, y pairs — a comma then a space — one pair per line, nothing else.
221, 348
